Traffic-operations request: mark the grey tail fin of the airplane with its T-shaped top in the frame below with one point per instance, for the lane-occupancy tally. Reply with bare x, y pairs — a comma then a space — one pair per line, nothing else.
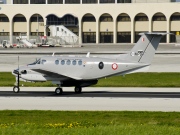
145, 48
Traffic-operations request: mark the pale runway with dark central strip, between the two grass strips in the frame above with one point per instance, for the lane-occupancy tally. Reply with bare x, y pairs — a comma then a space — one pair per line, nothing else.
100, 99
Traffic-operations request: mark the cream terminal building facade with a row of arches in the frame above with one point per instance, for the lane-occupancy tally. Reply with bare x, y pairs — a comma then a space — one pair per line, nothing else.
94, 21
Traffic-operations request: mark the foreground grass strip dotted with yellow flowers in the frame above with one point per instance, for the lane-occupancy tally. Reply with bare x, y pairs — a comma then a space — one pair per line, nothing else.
89, 122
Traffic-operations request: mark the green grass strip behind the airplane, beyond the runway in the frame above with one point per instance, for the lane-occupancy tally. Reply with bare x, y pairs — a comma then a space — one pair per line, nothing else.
131, 80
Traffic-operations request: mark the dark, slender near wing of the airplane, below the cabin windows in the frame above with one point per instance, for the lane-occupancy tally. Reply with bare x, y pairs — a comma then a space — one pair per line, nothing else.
54, 74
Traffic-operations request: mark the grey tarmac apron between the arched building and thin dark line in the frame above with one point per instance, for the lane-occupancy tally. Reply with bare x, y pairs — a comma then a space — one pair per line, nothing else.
93, 49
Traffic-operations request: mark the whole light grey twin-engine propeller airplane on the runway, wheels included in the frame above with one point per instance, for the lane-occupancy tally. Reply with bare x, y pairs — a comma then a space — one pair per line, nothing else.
84, 71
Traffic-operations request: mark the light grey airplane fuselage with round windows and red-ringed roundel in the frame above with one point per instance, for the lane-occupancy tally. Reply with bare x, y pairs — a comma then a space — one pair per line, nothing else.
61, 68
